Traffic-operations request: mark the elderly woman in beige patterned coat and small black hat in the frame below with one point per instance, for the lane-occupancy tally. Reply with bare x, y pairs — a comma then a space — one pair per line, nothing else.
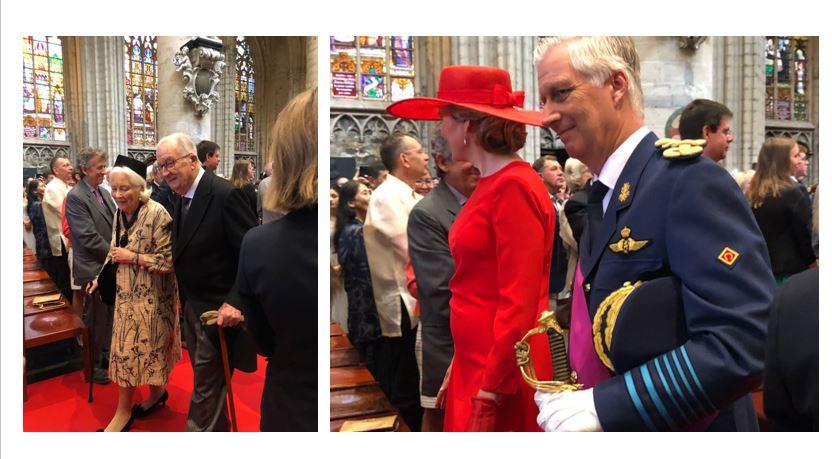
145, 343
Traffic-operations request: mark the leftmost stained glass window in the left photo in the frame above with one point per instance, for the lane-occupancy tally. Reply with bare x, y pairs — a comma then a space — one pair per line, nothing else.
43, 89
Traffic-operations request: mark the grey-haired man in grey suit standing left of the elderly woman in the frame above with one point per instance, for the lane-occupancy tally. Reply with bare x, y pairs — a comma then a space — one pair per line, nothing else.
89, 212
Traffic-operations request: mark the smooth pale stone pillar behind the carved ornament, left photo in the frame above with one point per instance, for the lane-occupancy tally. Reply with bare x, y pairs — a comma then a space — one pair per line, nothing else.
175, 113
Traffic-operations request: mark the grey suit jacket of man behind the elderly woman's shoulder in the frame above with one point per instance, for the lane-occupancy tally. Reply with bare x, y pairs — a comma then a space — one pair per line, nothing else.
91, 229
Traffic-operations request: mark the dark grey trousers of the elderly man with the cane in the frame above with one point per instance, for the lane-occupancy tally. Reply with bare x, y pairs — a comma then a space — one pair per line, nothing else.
207, 409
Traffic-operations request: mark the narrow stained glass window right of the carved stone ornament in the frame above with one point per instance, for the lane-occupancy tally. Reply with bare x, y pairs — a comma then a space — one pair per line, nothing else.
244, 98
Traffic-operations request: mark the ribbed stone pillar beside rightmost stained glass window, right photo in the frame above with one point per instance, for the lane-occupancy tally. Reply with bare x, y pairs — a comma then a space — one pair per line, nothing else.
739, 83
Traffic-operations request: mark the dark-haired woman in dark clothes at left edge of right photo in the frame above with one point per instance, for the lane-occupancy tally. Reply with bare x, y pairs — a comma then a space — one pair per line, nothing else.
362, 319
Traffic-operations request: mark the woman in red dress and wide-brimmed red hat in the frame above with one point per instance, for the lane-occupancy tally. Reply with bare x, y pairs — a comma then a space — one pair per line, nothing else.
502, 245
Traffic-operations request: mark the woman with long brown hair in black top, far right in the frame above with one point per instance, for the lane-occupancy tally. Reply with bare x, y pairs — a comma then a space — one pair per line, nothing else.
781, 209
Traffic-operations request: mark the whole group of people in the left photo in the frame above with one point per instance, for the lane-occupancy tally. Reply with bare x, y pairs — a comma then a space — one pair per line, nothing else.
153, 256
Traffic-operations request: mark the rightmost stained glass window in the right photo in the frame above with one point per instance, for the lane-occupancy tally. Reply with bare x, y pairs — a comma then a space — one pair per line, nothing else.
786, 78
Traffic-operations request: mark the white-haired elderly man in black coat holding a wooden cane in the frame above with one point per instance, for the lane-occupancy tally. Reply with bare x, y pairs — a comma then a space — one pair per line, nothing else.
209, 222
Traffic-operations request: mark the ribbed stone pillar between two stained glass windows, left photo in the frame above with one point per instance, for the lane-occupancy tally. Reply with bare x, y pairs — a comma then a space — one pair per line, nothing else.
94, 78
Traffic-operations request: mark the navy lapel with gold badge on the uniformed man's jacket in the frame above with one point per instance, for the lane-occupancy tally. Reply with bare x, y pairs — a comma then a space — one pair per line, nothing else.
591, 253
